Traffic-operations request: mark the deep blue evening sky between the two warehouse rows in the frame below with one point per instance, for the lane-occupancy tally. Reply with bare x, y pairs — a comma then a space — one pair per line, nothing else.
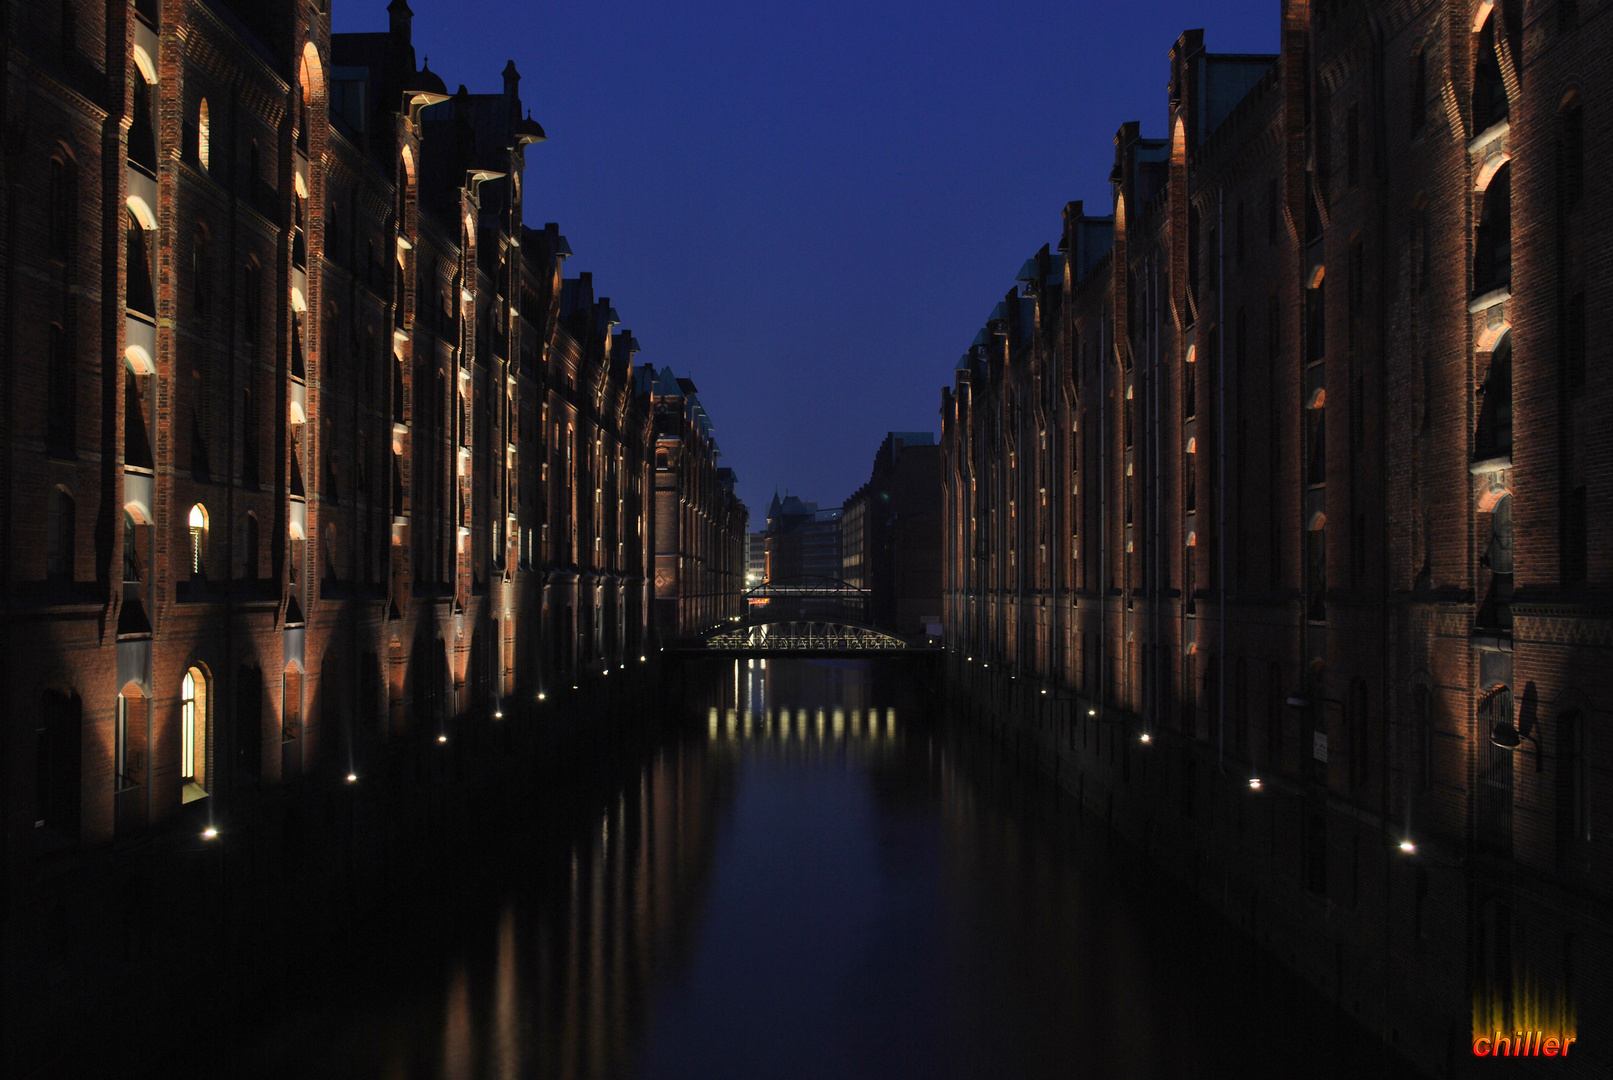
812, 209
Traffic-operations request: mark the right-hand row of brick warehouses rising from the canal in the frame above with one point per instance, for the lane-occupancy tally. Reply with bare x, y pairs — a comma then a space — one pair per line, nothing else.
1173, 575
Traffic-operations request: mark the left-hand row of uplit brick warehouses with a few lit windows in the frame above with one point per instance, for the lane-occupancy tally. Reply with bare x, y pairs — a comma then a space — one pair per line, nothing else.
311, 449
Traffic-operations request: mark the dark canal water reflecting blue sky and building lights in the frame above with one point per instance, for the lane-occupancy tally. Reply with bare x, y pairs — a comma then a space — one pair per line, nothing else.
820, 876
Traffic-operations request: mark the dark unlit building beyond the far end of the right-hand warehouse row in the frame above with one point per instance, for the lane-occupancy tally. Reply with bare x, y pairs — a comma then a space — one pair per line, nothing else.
891, 536
